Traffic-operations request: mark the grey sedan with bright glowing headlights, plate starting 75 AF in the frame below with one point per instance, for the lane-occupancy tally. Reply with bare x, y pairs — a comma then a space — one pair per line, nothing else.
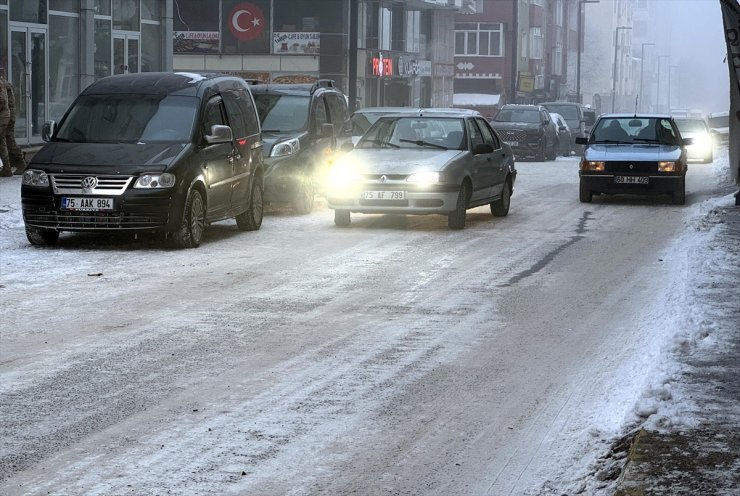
432, 162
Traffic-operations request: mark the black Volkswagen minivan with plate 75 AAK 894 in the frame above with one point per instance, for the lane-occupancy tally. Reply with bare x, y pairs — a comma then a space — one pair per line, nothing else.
148, 152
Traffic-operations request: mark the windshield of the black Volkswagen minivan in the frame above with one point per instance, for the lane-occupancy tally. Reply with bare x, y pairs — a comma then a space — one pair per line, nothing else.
129, 118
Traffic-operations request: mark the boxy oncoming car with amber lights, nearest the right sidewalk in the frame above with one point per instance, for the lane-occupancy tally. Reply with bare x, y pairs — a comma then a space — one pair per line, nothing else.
634, 154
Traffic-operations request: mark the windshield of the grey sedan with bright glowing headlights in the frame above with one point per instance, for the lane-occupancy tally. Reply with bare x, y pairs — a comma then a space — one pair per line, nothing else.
415, 132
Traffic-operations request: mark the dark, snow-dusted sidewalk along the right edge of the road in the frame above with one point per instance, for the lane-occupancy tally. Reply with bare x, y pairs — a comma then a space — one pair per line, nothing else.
703, 458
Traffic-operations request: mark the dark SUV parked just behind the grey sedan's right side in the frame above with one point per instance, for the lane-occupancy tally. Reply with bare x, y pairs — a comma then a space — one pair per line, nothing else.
528, 130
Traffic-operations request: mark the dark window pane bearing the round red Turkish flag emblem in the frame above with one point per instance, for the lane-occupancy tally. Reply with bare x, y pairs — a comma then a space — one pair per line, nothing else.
246, 28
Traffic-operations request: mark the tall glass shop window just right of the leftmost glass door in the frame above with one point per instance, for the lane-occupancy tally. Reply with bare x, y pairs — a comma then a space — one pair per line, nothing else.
64, 63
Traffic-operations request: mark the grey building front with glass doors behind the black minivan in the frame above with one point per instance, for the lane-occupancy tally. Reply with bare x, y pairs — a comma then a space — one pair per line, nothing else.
51, 49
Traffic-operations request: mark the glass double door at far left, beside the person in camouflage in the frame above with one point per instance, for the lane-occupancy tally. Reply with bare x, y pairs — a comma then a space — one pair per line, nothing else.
27, 72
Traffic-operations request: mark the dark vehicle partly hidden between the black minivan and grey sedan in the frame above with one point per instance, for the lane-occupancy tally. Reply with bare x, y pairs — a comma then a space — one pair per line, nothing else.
302, 125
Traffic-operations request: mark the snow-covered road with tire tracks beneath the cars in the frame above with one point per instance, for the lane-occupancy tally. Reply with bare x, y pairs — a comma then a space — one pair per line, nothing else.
390, 357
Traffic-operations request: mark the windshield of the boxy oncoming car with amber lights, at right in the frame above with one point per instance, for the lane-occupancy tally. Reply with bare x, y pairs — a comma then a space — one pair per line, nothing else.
640, 130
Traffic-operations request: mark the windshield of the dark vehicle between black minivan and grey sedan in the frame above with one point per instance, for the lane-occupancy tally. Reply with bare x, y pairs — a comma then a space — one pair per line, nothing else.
282, 113
